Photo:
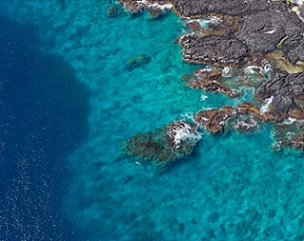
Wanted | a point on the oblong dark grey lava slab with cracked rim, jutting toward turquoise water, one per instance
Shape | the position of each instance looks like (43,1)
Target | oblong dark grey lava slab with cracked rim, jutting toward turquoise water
(213,49)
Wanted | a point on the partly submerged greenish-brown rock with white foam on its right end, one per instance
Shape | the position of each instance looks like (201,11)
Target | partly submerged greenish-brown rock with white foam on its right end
(165,145)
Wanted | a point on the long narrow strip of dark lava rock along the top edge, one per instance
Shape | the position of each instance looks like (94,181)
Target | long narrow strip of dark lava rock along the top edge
(190,8)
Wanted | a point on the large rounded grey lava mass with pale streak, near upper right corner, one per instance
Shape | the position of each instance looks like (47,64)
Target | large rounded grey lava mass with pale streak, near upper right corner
(277,28)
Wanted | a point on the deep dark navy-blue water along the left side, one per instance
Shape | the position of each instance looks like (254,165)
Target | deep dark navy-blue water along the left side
(44,111)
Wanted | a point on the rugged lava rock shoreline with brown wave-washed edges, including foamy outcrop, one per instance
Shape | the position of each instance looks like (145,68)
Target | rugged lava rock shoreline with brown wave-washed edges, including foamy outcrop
(261,37)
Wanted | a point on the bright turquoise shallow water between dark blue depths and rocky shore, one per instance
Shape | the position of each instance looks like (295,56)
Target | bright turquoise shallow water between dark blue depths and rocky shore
(233,187)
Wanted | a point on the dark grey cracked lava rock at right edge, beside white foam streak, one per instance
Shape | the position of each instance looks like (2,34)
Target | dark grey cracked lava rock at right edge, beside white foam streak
(287,91)
